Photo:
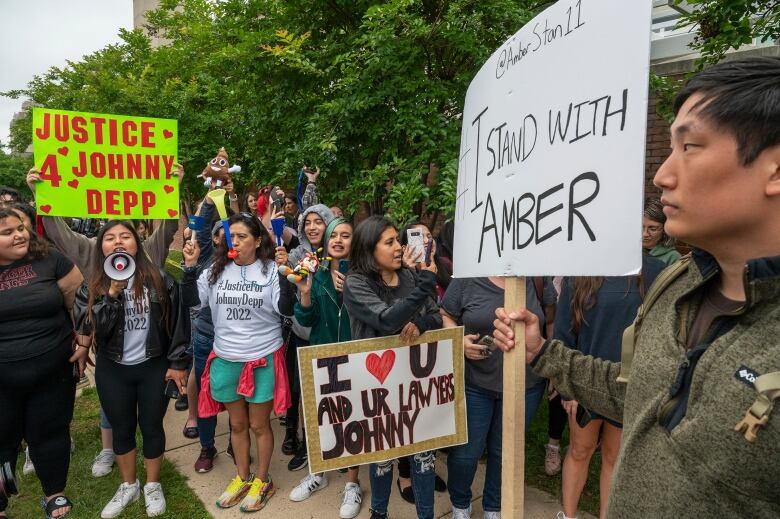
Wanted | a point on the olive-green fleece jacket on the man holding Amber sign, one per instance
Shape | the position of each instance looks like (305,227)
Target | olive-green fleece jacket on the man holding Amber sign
(701,467)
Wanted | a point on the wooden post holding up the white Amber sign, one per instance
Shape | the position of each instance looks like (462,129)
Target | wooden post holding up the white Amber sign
(513,409)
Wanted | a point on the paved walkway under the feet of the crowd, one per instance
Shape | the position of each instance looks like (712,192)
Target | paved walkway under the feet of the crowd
(183,452)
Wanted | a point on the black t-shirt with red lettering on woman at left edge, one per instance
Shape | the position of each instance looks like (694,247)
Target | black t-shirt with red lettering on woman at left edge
(33,318)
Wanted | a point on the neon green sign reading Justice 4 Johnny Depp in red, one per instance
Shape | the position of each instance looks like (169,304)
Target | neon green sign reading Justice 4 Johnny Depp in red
(105,166)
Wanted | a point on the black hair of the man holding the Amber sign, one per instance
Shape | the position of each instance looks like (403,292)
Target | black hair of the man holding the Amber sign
(742,97)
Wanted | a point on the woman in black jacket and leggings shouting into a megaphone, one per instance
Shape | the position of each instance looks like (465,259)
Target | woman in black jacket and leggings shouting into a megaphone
(132,311)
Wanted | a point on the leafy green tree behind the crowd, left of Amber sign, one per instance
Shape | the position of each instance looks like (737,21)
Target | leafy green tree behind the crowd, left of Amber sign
(370,91)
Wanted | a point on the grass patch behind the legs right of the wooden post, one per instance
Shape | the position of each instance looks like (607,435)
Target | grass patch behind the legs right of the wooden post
(534,464)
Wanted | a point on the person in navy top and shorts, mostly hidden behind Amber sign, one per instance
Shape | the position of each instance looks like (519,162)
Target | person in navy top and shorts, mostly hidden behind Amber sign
(592,314)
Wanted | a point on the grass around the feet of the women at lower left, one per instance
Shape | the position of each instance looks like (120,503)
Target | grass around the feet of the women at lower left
(91,494)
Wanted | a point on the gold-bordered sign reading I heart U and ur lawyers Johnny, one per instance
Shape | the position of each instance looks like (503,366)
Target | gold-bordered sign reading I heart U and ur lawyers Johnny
(375,400)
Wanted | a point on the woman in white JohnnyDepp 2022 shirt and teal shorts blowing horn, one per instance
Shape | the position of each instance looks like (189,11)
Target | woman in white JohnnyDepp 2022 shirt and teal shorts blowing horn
(247,298)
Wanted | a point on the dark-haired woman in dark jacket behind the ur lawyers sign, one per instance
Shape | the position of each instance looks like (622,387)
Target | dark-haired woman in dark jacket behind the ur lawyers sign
(384,298)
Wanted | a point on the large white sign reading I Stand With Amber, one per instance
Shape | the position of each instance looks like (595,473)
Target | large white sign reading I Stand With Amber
(552,152)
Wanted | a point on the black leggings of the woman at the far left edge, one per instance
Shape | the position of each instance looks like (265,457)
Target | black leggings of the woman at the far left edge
(36,404)
